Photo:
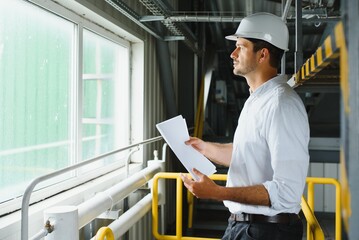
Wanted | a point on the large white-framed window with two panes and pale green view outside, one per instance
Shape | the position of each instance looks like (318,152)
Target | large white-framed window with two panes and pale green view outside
(51,116)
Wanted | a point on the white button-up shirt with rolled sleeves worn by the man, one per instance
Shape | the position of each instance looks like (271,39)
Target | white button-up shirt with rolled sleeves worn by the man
(270,147)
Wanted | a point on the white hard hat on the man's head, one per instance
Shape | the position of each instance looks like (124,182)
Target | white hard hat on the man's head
(263,26)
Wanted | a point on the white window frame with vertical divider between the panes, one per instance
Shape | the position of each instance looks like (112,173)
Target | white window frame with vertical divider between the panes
(103,27)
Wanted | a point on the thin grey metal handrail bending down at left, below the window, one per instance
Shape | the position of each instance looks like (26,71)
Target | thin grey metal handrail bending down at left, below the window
(32,185)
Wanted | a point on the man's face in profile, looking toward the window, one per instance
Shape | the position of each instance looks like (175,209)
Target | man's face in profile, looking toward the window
(244,59)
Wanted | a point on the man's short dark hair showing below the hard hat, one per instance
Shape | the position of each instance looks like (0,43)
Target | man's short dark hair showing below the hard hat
(275,53)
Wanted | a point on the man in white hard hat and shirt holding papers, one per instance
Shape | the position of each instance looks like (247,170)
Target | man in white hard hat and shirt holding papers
(268,160)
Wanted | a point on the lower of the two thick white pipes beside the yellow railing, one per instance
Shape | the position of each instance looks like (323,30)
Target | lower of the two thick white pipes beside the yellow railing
(120,226)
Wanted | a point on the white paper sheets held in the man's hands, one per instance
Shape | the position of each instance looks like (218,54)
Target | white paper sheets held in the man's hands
(175,133)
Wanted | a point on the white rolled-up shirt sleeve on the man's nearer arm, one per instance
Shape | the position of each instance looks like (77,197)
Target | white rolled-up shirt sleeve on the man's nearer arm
(287,135)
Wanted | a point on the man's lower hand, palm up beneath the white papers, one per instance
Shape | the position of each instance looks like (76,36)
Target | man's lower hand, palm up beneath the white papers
(203,188)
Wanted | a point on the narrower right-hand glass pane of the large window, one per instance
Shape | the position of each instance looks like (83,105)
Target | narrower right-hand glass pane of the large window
(105,95)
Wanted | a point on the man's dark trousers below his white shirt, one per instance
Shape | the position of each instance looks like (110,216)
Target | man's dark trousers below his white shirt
(263,231)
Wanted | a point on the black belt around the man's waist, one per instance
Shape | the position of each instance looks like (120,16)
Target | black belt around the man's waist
(282,218)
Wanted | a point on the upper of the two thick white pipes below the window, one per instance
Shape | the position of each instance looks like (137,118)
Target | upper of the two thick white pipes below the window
(90,209)
